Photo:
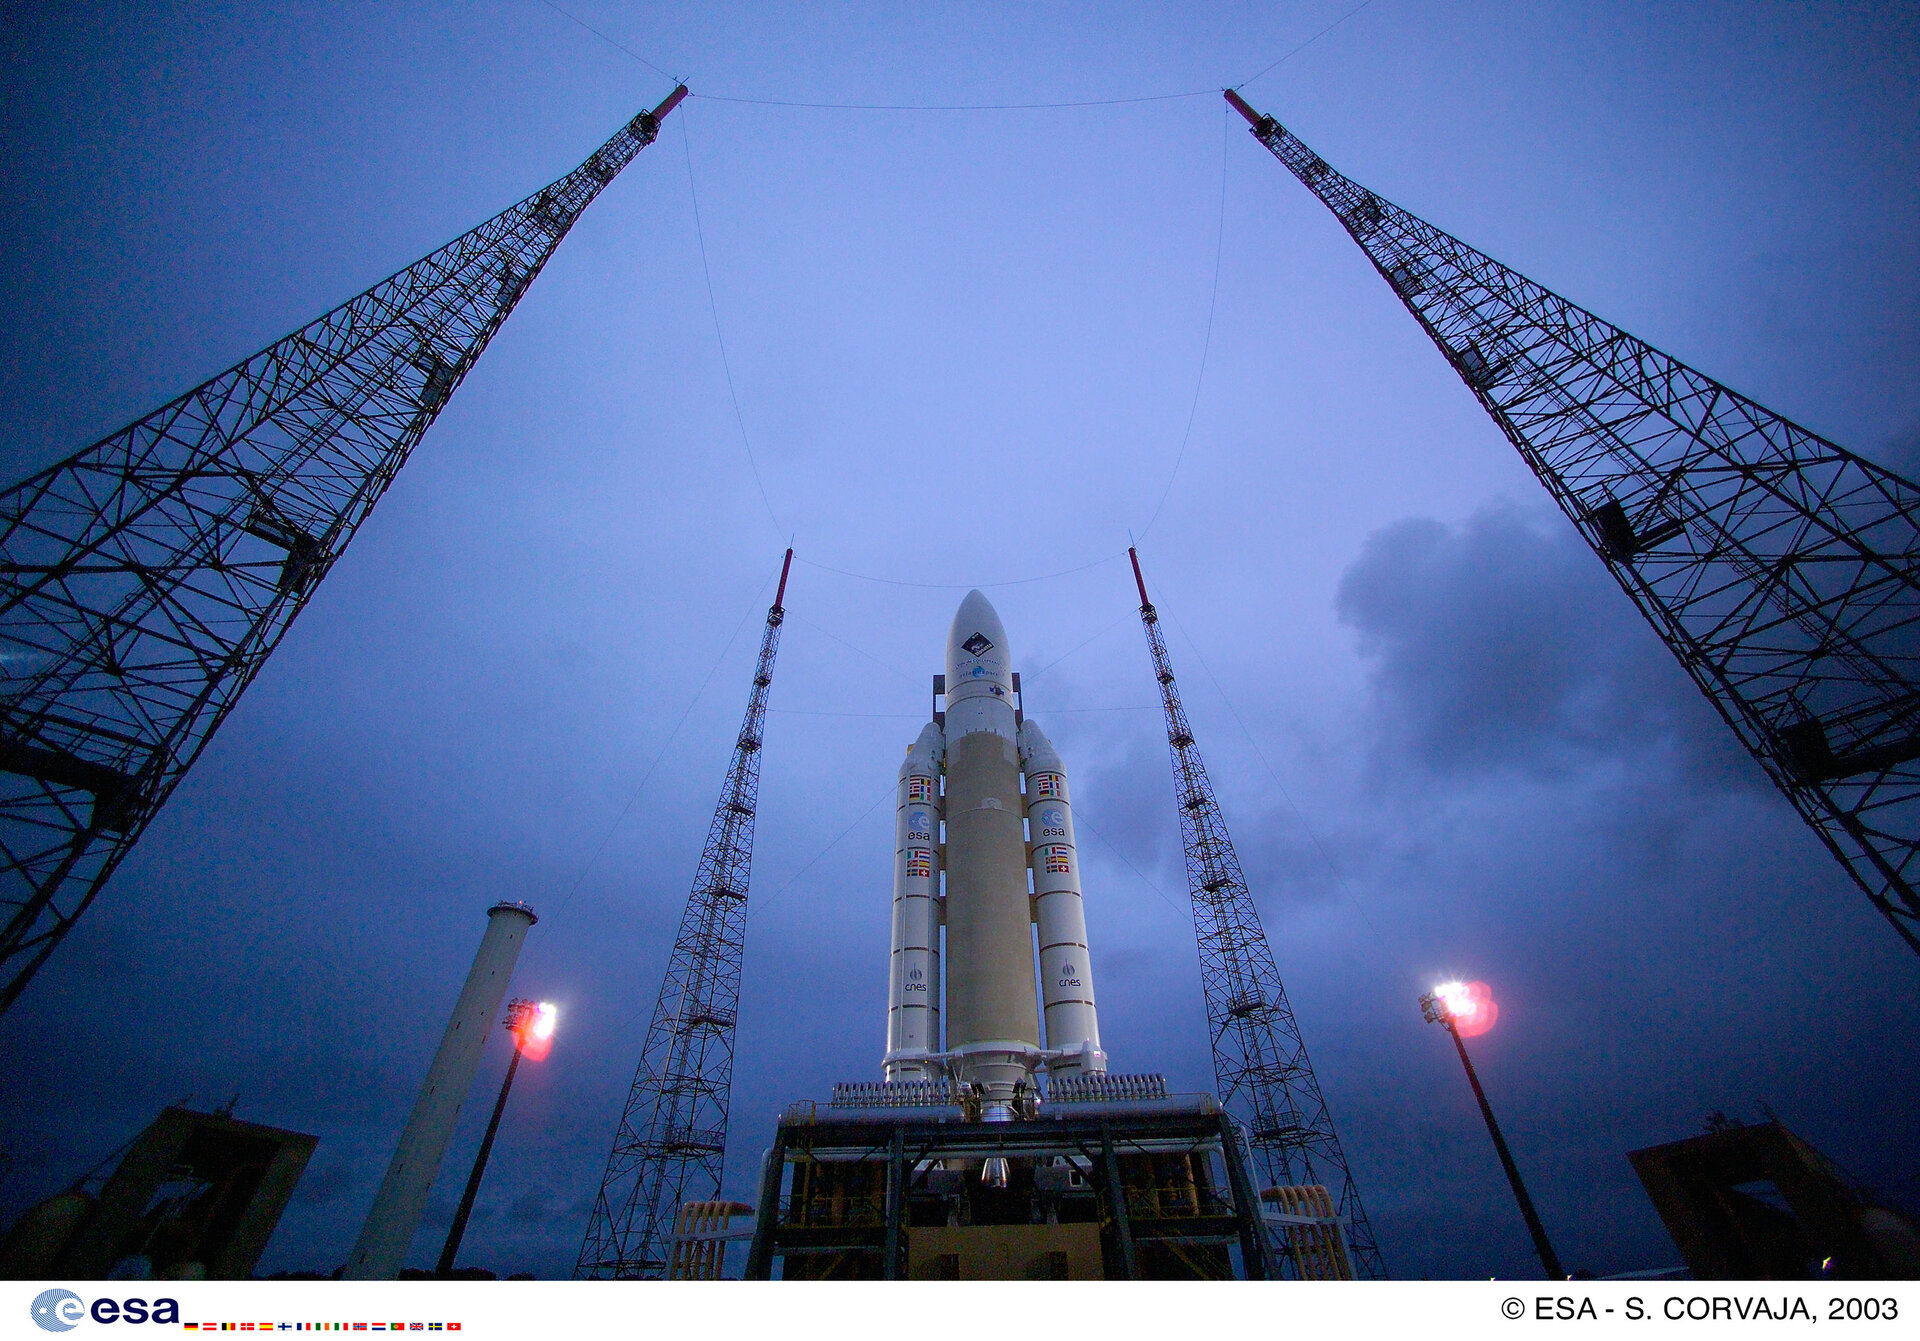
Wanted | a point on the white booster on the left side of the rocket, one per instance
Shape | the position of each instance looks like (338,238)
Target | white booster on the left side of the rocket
(915,977)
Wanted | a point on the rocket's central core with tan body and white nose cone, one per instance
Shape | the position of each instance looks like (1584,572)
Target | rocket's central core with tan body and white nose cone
(994,1029)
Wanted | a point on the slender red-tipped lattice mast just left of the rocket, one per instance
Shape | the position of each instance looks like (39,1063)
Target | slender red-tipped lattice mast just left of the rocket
(671,1144)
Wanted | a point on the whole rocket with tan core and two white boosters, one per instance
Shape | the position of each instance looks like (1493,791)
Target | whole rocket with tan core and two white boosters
(988,869)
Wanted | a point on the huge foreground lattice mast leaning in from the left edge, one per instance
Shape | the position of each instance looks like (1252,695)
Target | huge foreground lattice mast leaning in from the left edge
(147,579)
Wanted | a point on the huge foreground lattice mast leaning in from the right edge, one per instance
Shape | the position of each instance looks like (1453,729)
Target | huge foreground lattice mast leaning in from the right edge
(1781,570)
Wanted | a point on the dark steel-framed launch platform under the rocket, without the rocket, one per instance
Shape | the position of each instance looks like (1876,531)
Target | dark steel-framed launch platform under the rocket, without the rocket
(1115,1181)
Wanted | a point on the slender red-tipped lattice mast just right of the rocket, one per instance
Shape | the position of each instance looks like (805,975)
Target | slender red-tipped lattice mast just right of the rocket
(1260,1061)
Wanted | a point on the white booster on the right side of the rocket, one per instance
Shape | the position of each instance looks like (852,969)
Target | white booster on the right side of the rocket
(1067,965)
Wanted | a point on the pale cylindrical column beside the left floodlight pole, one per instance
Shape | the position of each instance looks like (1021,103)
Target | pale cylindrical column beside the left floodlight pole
(396,1209)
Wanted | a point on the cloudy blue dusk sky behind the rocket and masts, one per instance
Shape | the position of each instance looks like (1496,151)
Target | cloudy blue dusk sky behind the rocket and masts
(967,347)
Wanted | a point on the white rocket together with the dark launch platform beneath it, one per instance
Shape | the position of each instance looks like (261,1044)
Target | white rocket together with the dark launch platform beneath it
(999,1146)
